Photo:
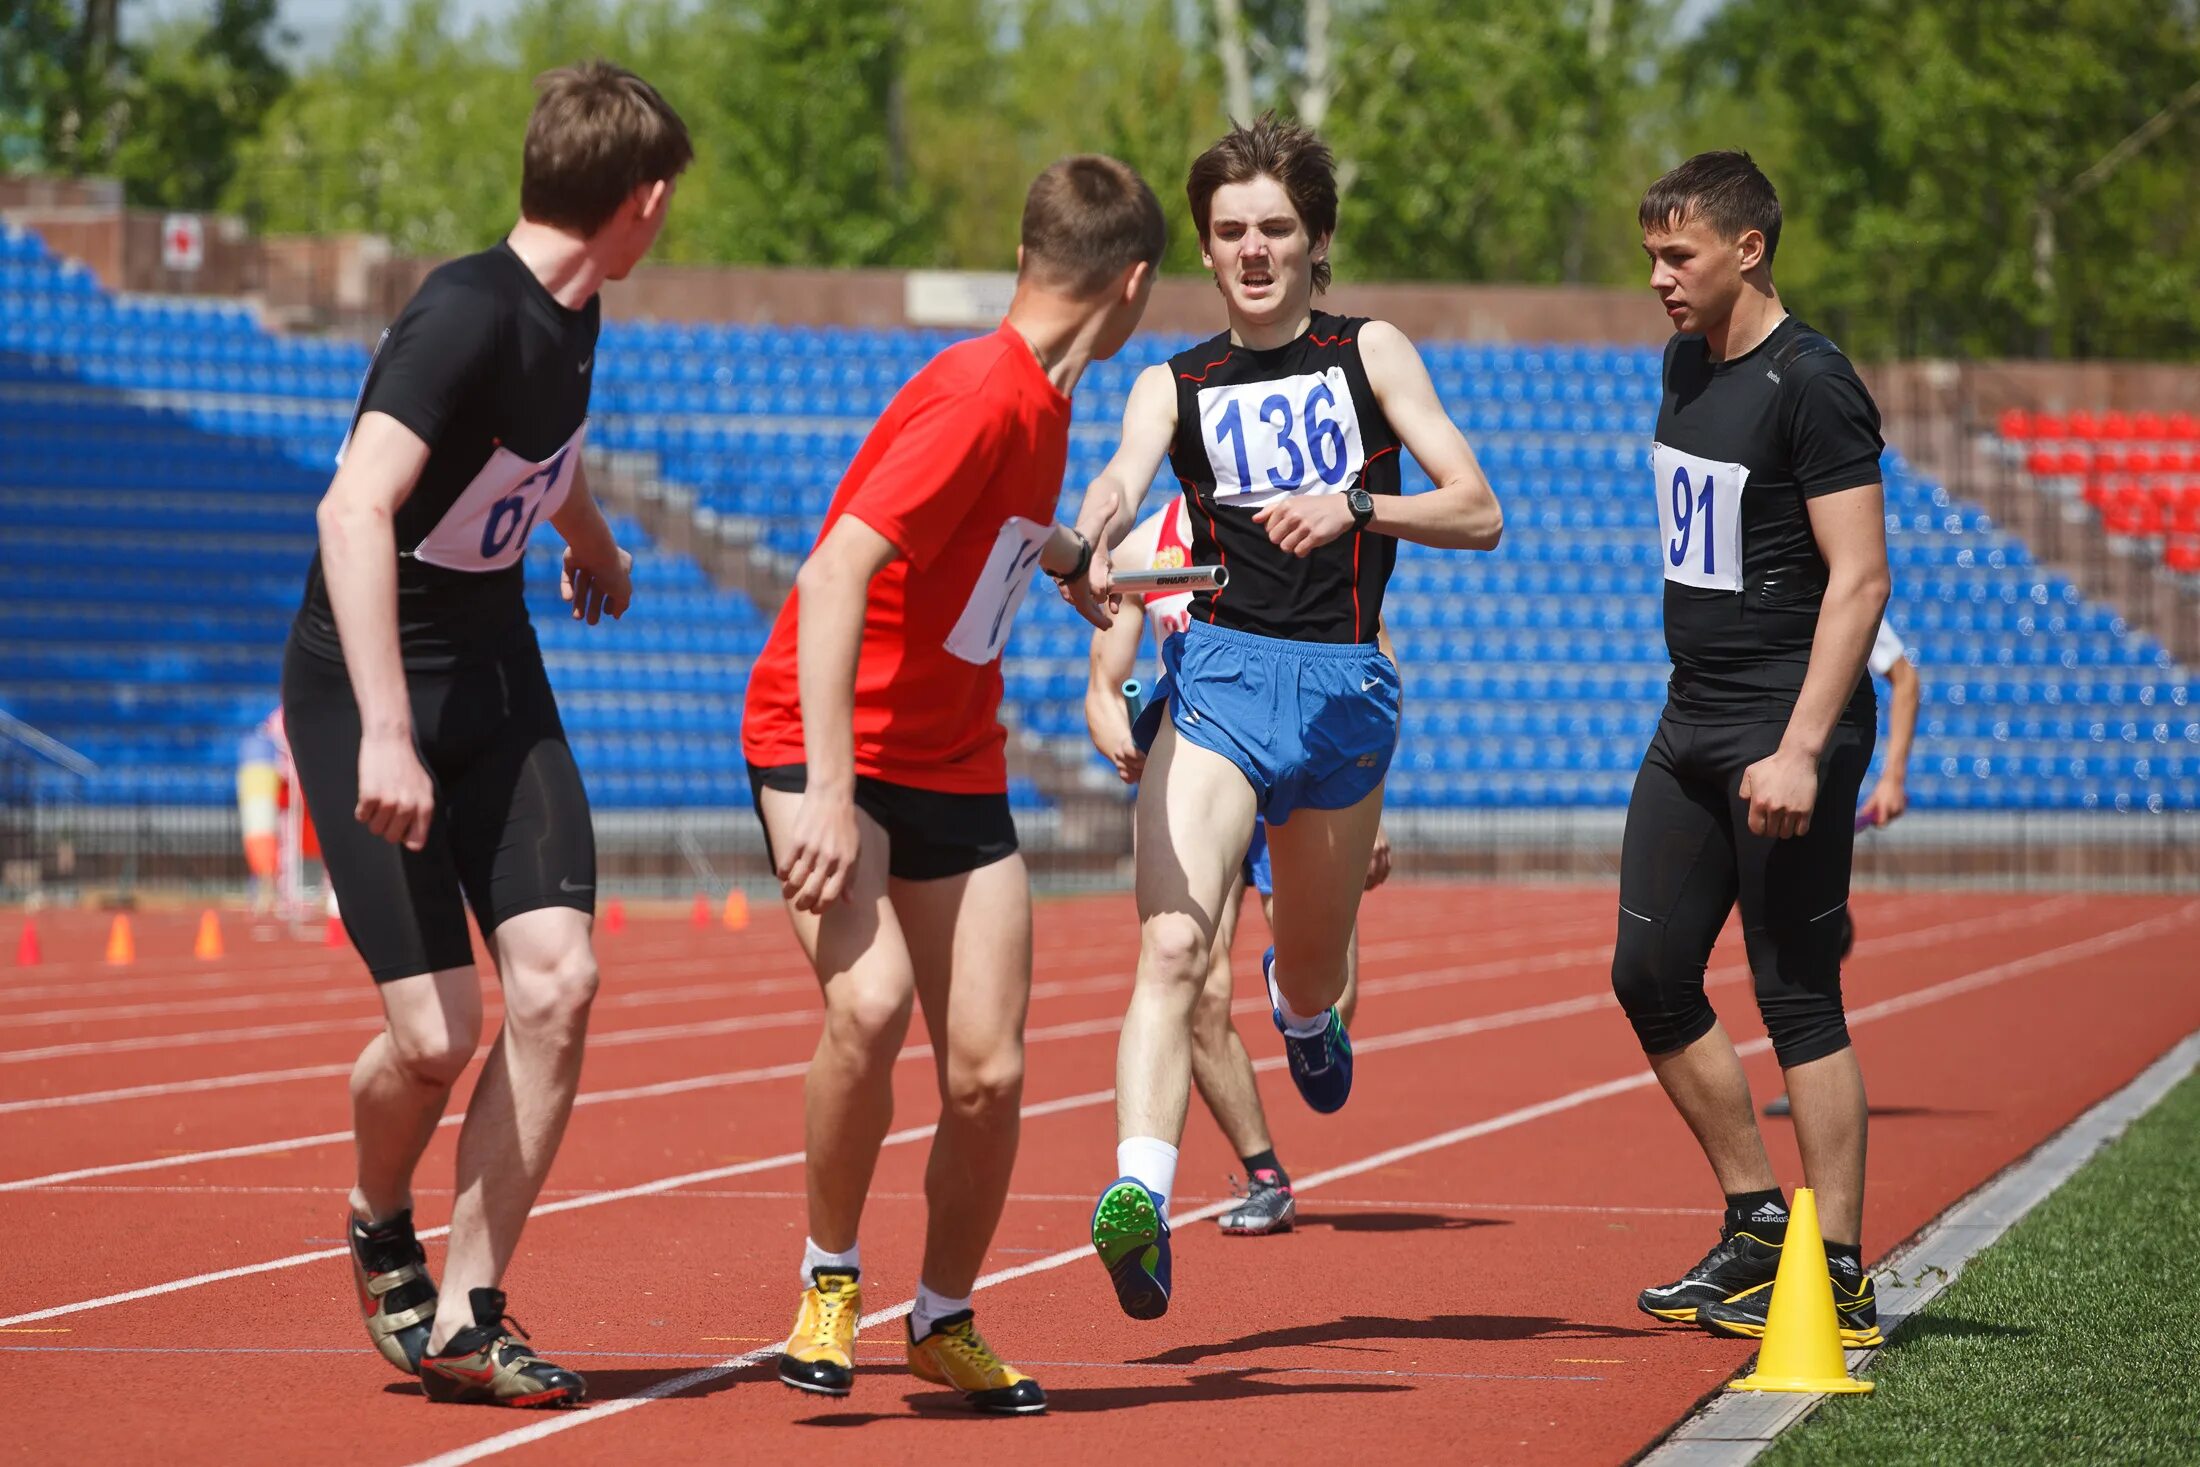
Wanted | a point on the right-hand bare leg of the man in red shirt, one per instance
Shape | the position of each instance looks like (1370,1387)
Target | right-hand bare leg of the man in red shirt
(971,951)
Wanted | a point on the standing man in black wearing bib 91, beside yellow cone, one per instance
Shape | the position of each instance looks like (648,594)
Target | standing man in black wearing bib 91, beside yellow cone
(1776,573)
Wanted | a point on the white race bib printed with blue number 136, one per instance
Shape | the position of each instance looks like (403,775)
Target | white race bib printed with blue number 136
(1290,437)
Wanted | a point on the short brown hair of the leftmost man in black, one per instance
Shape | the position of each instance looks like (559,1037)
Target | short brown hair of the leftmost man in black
(597,135)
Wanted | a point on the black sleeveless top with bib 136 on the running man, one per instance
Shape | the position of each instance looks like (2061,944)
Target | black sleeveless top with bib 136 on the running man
(1255,428)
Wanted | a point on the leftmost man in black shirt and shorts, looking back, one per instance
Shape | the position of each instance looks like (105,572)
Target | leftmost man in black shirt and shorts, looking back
(426,736)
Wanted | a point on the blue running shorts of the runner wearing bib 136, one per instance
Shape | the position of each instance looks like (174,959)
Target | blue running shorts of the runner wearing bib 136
(1312,725)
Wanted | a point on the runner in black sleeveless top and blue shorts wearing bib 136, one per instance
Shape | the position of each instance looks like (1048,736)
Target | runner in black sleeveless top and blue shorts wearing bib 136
(1277,703)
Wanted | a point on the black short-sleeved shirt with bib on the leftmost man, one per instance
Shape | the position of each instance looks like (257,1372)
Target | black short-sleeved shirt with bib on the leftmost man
(492,373)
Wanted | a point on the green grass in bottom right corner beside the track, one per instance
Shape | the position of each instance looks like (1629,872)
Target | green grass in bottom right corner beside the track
(2076,1338)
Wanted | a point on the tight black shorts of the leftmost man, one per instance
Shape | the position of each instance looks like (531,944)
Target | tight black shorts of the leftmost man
(511,824)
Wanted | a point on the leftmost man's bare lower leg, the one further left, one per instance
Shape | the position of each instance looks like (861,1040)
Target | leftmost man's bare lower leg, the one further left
(404,1081)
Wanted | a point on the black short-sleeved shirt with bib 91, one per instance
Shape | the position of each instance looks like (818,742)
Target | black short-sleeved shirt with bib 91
(1741,448)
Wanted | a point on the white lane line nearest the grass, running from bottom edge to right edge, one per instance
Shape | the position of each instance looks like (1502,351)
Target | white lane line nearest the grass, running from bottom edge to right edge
(507,1442)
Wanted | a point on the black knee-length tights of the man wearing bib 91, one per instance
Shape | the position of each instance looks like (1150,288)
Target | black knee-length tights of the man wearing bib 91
(1688,859)
